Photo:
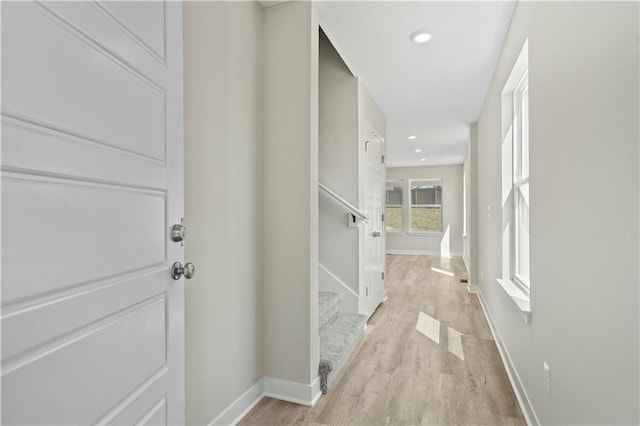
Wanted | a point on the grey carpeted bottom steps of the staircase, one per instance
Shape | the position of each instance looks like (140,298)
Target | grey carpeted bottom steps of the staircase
(340,333)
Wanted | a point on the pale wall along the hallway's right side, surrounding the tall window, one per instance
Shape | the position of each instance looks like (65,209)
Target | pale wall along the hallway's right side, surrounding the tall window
(583,84)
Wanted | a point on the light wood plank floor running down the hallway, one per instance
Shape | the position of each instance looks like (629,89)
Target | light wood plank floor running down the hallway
(398,376)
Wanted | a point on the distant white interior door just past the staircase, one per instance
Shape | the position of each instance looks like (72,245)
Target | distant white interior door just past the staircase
(374,229)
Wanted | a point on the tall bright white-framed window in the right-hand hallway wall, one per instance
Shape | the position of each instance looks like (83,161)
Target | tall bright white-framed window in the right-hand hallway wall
(520,189)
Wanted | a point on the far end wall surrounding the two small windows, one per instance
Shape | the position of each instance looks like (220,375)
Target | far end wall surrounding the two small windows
(447,243)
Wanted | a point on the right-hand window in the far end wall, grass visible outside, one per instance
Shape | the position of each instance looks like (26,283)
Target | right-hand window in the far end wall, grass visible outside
(426,205)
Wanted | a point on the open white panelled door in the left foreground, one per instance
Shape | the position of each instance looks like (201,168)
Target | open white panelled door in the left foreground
(92,322)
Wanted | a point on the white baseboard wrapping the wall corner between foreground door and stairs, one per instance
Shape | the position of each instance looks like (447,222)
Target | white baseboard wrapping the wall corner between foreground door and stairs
(268,386)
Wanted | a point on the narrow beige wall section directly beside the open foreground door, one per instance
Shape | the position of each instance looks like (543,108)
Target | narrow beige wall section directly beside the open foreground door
(223,137)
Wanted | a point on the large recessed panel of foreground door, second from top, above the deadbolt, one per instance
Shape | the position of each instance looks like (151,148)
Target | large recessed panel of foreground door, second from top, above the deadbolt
(105,99)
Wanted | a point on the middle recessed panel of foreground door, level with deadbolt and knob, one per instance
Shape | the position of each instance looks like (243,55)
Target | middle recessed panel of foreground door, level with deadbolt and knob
(68,211)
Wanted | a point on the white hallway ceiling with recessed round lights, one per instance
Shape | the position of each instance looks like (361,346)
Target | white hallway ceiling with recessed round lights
(431,90)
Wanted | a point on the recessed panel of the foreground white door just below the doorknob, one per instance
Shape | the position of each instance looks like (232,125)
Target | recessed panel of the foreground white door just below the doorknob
(80,377)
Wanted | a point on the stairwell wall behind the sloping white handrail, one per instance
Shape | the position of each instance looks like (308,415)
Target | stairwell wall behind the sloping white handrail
(338,159)
